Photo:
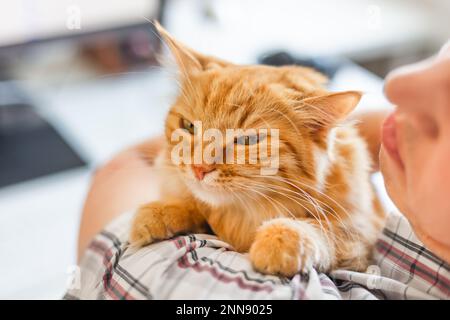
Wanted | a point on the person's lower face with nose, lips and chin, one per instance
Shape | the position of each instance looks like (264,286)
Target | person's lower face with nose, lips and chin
(416,148)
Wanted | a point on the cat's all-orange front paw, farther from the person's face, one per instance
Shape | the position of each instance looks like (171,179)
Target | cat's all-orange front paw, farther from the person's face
(157,221)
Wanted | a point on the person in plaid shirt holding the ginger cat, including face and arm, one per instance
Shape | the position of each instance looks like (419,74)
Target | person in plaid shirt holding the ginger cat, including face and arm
(412,256)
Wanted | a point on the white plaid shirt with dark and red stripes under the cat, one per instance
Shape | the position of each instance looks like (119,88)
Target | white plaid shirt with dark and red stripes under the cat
(199,266)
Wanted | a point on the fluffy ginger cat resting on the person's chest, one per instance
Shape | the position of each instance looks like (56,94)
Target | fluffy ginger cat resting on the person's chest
(318,210)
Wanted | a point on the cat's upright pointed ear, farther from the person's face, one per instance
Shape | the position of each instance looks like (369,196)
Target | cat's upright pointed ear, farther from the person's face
(188,60)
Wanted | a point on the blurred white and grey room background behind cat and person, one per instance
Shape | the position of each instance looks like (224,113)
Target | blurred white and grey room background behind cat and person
(79,81)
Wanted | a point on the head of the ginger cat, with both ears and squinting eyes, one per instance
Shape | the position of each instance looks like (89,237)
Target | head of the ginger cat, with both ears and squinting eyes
(281,112)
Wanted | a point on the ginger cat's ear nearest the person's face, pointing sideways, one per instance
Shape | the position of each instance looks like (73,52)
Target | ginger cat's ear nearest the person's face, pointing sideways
(330,108)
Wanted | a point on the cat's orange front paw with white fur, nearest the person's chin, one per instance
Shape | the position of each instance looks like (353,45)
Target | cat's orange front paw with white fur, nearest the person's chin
(285,247)
